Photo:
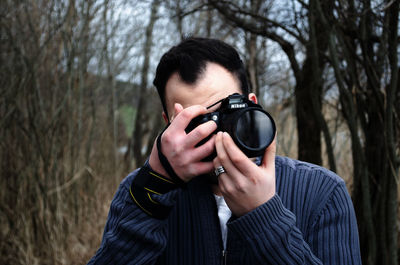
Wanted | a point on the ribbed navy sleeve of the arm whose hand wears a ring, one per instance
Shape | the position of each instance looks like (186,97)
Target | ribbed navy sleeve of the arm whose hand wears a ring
(331,236)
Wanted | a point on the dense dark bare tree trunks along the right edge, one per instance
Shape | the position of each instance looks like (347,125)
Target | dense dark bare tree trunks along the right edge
(363,46)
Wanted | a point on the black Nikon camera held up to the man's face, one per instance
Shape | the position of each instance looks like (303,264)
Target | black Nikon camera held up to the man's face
(251,127)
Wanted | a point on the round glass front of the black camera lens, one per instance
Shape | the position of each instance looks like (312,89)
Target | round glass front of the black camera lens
(255,130)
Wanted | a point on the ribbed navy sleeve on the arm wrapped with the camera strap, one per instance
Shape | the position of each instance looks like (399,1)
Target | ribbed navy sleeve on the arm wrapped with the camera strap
(130,235)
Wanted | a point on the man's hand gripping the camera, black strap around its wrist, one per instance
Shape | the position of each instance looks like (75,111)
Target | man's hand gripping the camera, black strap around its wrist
(179,147)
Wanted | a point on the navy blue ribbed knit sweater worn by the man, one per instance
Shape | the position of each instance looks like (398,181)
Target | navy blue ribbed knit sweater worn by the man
(310,220)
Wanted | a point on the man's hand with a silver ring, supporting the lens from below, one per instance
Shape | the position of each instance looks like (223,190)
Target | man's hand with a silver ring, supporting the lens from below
(245,186)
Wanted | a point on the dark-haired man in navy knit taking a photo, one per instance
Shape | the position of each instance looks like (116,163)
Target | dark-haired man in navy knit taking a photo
(272,211)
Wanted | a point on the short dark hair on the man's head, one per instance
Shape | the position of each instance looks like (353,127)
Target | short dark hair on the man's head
(189,59)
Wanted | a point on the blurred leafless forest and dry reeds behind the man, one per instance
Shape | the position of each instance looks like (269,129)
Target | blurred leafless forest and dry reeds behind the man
(78,110)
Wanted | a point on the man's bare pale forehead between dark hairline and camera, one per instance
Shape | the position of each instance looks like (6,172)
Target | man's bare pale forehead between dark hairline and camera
(214,84)
